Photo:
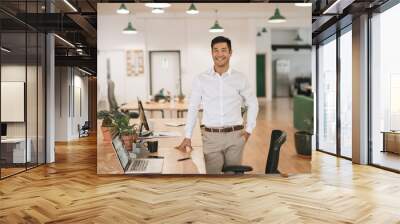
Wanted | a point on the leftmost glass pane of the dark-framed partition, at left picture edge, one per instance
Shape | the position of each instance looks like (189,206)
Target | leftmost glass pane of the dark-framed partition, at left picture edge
(13,92)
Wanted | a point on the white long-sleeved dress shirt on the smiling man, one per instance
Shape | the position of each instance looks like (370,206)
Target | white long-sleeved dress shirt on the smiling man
(221,97)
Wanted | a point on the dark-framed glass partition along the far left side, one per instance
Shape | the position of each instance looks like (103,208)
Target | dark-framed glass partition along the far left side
(22,64)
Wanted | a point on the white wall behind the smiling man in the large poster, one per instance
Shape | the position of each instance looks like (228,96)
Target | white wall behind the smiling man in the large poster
(186,35)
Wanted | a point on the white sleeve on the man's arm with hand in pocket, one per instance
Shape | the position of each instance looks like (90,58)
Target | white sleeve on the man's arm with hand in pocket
(252,106)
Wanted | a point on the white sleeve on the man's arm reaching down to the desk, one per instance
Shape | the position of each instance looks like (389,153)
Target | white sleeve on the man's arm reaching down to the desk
(193,108)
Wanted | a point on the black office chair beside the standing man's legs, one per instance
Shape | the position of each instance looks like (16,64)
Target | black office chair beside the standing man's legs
(278,138)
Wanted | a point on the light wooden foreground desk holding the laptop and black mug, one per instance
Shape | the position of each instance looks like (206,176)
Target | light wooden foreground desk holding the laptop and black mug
(108,163)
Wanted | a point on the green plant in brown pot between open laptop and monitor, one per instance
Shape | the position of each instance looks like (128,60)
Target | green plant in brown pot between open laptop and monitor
(123,128)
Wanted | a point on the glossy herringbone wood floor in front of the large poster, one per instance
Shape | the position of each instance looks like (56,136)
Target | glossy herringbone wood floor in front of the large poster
(69,191)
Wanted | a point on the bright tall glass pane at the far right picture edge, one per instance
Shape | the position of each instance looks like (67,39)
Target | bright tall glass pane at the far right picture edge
(385,89)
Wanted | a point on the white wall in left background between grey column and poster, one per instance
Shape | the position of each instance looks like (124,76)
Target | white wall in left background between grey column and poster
(66,121)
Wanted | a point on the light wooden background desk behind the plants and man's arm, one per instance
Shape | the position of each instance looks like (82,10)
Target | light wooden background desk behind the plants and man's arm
(179,107)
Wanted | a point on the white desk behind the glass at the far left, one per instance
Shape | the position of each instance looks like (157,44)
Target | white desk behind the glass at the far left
(13,150)
